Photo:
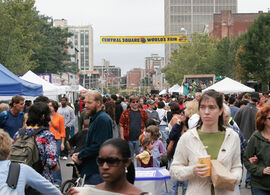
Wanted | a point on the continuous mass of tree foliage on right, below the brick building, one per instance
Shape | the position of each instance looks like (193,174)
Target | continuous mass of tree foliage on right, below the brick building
(244,58)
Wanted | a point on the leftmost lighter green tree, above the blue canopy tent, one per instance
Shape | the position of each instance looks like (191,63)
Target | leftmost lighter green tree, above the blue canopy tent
(19,29)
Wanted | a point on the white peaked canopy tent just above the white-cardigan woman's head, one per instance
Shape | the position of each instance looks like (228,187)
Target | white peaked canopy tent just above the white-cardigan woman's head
(228,85)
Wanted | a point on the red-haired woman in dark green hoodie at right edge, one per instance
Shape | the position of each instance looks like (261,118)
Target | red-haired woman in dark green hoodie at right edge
(257,156)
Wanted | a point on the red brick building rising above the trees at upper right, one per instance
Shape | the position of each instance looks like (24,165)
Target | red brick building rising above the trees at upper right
(231,24)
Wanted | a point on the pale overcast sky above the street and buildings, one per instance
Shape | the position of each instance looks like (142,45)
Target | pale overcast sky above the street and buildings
(123,18)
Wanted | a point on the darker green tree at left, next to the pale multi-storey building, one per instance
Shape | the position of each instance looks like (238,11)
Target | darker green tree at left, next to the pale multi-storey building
(52,56)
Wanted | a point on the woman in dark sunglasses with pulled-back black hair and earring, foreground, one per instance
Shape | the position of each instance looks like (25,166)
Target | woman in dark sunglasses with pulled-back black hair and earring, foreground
(116,169)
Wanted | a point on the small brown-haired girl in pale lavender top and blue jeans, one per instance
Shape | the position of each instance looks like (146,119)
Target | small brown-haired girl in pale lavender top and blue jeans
(158,151)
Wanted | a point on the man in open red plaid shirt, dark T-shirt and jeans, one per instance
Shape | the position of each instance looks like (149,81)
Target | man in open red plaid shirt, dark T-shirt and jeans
(132,125)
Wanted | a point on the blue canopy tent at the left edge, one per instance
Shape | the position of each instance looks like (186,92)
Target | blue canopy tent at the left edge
(11,84)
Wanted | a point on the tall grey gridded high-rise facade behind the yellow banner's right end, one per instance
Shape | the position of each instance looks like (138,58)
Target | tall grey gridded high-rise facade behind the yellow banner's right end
(189,16)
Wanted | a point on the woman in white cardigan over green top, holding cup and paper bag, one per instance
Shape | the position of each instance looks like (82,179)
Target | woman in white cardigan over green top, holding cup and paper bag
(209,138)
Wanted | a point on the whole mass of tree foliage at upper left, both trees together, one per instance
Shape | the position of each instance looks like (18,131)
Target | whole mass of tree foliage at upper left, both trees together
(29,41)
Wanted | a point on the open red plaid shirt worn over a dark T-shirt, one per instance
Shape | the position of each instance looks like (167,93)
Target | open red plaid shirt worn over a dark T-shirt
(125,119)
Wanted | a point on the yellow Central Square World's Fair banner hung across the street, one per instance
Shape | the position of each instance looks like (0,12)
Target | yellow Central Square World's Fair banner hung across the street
(143,39)
